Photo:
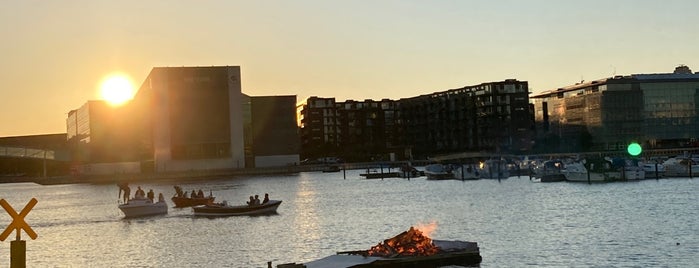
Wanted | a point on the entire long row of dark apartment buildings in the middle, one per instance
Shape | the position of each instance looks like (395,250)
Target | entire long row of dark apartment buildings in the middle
(491,117)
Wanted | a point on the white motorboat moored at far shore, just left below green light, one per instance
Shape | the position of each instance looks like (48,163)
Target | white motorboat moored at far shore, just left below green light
(599,172)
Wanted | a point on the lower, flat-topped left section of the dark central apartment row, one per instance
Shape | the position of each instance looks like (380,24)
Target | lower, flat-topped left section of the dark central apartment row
(353,130)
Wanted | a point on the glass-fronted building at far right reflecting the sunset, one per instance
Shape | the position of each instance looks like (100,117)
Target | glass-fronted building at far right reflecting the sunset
(657,110)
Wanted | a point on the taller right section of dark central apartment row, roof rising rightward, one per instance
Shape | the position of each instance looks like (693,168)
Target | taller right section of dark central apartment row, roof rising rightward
(490,117)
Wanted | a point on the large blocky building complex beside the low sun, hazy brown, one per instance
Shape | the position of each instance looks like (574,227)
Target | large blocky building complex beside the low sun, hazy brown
(185,119)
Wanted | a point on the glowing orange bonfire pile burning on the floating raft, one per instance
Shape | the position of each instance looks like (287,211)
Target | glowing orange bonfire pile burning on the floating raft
(409,243)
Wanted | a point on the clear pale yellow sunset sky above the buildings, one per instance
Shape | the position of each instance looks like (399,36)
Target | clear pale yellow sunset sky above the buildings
(54,54)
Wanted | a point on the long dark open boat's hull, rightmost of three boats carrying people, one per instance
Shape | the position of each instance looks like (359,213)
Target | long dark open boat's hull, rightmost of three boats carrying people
(224,209)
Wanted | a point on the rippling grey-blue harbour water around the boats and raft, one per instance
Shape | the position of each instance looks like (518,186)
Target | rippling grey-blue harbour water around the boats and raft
(516,222)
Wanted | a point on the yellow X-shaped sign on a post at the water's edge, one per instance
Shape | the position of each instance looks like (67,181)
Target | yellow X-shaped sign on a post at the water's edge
(18,247)
